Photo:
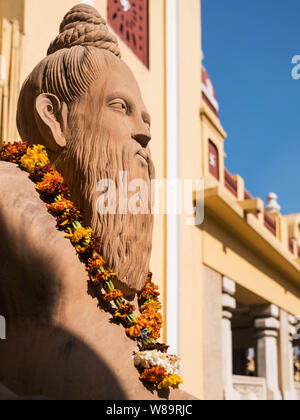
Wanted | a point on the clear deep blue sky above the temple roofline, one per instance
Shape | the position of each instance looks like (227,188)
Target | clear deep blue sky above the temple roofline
(248,47)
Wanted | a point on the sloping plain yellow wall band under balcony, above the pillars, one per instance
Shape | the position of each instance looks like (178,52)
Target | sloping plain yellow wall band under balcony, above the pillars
(225,254)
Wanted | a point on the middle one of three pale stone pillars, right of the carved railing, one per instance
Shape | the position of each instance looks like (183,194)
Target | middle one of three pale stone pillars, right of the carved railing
(267,327)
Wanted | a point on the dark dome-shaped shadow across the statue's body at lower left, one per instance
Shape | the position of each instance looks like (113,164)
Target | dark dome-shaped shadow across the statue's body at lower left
(63,367)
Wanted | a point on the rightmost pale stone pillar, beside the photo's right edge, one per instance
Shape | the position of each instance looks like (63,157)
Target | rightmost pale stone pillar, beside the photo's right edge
(286,363)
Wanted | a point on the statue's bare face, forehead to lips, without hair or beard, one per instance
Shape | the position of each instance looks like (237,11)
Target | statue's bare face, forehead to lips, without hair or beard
(126,119)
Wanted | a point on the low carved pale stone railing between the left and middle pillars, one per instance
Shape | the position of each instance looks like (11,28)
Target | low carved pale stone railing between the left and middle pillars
(248,388)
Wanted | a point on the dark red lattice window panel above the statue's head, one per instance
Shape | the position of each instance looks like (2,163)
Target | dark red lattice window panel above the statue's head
(130,20)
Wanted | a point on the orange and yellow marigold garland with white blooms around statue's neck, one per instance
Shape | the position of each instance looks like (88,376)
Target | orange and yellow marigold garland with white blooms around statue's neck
(161,371)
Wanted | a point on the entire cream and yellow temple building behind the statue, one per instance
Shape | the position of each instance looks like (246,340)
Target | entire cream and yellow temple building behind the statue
(230,285)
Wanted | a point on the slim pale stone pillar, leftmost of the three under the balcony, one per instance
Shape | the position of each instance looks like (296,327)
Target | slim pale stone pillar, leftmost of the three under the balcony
(228,306)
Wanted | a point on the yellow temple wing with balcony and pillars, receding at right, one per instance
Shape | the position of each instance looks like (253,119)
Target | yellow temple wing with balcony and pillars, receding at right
(250,279)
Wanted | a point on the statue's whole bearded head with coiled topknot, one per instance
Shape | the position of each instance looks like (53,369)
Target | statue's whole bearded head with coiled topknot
(84,105)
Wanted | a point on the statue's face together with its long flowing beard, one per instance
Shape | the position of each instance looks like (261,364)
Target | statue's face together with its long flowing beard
(108,134)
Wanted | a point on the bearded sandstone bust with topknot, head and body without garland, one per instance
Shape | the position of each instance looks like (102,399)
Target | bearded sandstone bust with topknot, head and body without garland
(84,105)
